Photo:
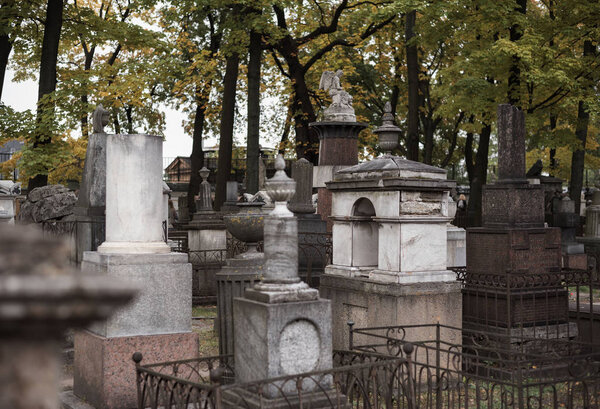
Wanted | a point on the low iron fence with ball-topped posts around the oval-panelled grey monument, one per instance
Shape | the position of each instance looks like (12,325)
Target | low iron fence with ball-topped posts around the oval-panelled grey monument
(357,380)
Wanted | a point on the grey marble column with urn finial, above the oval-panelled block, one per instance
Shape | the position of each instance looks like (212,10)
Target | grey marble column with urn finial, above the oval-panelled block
(281,282)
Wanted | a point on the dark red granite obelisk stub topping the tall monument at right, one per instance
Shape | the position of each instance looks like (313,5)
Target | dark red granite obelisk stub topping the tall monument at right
(511,144)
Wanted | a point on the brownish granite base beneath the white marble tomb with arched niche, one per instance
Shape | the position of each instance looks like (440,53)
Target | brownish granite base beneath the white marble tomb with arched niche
(371,304)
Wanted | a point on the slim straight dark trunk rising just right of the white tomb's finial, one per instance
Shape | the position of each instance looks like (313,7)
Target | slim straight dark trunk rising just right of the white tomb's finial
(412,66)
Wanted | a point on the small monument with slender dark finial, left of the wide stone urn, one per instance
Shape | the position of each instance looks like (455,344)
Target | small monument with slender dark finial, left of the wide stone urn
(207,243)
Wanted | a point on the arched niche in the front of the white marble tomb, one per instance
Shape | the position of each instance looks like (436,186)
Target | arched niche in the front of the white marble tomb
(365,234)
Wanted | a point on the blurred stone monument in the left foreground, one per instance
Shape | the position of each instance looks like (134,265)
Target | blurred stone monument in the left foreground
(40,298)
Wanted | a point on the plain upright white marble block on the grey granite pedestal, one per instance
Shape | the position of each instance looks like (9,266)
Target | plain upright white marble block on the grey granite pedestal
(134,188)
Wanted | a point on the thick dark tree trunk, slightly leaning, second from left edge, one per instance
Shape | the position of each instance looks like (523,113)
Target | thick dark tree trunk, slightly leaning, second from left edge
(47,81)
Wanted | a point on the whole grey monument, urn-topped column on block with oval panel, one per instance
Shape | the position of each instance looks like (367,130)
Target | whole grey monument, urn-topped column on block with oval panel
(281,327)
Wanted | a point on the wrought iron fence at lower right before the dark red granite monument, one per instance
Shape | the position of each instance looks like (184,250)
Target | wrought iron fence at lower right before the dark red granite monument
(477,372)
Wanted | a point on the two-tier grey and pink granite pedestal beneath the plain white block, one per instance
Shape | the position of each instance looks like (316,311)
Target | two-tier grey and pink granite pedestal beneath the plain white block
(157,324)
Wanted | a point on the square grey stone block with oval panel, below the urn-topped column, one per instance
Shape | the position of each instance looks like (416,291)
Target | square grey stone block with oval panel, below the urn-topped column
(282,339)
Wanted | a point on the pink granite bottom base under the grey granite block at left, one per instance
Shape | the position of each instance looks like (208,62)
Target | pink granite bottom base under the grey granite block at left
(104,373)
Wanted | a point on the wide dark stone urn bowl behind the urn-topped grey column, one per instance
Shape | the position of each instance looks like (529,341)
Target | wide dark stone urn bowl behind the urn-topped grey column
(247,225)
